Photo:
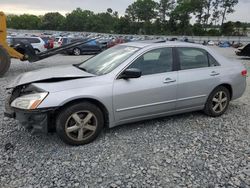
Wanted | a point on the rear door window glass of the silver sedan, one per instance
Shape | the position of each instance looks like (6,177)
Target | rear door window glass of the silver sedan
(191,58)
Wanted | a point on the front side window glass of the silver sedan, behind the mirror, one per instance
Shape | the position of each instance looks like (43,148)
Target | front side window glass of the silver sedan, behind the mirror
(155,61)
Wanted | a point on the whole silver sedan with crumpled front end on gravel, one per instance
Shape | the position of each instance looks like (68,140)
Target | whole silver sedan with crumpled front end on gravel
(127,83)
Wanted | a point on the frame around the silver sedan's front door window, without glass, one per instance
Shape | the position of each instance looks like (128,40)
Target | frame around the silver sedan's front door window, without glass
(141,54)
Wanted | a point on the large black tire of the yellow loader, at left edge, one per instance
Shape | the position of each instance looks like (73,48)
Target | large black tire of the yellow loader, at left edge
(4,61)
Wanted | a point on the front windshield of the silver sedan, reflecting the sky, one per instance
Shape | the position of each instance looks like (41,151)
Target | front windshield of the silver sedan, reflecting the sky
(108,60)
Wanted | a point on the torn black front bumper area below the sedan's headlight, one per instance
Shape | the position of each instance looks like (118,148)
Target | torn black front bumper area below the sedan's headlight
(36,121)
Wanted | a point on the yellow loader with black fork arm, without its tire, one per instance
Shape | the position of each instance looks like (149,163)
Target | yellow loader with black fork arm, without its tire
(24,51)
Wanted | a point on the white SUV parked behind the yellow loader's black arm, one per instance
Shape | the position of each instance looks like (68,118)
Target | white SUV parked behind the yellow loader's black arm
(37,43)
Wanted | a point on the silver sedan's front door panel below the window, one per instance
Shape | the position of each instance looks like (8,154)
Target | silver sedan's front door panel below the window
(158,96)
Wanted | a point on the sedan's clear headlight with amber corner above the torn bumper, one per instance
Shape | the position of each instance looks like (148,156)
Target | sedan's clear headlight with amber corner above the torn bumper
(30,101)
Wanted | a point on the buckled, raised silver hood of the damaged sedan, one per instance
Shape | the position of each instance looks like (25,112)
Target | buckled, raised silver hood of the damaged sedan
(52,74)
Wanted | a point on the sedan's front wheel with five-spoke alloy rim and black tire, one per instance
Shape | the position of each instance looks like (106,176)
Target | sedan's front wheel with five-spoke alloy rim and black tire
(79,123)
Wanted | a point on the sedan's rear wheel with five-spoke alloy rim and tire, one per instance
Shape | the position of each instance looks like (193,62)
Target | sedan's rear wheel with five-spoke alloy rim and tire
(217,102)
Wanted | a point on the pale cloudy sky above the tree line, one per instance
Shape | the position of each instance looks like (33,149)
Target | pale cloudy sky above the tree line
(40,7)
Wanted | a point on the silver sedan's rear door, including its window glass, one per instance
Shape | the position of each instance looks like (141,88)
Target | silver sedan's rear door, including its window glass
(199,74)
